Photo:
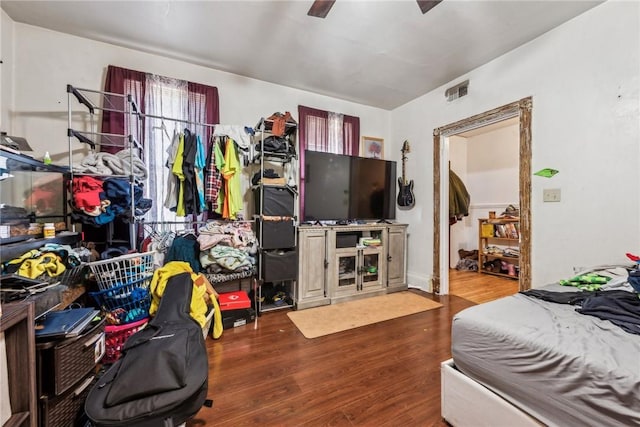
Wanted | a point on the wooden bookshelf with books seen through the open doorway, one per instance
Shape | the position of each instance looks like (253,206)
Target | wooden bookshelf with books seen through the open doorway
(499,247)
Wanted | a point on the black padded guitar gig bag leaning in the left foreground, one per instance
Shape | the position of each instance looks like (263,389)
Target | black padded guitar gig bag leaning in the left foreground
(162,377)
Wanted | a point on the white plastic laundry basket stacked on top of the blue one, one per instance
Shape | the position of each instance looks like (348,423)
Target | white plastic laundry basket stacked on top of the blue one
(131,270)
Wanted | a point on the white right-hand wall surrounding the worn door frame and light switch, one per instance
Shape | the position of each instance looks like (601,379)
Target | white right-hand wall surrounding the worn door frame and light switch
(584,80)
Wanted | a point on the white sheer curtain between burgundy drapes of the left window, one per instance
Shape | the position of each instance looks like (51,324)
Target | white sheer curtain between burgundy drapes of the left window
(168,98)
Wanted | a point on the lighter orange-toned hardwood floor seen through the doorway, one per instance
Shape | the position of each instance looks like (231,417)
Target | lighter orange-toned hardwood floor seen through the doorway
(480,288)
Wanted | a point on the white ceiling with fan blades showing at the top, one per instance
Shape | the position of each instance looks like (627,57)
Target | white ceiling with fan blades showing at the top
(378,53)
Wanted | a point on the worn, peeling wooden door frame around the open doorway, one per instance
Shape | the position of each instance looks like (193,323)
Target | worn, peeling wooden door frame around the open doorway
(521,109)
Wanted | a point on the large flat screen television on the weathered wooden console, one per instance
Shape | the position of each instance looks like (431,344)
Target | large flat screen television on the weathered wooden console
(337,187)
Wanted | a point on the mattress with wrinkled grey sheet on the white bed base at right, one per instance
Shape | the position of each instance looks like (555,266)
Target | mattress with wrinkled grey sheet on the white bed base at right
(562,367)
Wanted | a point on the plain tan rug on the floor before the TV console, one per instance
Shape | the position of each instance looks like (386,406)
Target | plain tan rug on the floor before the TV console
(329,319)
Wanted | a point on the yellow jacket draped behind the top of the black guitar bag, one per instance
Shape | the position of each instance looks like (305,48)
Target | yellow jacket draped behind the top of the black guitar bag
(198,308)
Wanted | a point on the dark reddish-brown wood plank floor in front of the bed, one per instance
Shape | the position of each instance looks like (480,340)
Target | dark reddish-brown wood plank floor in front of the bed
(386,374)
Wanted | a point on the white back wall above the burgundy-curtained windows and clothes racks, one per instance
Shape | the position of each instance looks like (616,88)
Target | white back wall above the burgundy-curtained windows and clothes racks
(46,61)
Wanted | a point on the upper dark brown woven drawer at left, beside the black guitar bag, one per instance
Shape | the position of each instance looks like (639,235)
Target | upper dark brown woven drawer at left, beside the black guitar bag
(62,363)
